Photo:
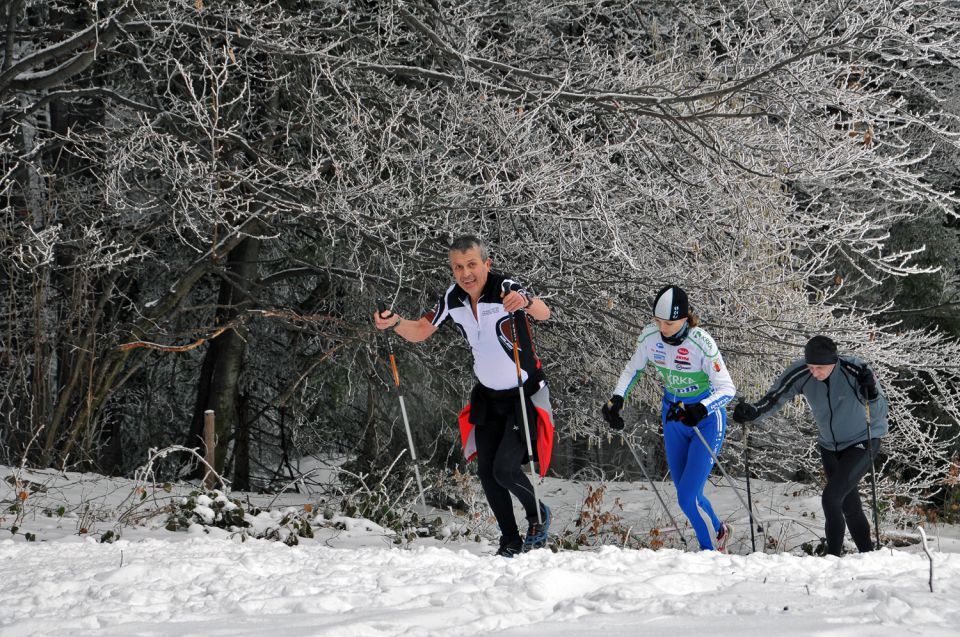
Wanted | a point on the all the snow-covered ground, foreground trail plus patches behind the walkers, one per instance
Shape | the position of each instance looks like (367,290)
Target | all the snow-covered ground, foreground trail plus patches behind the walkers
(353,579)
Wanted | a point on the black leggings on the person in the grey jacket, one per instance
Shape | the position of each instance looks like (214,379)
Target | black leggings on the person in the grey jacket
(841,497)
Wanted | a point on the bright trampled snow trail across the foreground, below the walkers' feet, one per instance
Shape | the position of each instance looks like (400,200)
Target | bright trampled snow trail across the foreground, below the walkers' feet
(208,586)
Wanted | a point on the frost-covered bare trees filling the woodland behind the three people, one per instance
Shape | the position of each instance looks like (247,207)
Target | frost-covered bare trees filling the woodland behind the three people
(246,178)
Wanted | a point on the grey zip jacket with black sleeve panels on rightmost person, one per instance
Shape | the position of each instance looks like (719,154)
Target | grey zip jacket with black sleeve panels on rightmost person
(837,405)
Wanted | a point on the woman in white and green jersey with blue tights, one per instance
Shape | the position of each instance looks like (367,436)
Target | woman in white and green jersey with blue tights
(697,385)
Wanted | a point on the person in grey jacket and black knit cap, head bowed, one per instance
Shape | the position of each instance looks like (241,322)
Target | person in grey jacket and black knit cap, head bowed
(837,389)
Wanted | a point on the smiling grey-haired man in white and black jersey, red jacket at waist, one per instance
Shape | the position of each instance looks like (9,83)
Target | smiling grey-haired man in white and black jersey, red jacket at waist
(481,304)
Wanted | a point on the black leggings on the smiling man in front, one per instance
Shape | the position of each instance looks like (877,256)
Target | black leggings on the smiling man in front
(500,450)
